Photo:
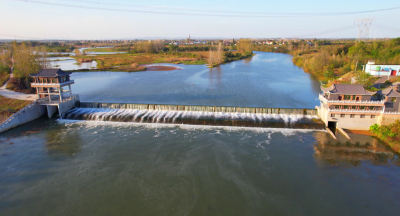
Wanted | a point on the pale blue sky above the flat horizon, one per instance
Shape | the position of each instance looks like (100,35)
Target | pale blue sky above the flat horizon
(175,19)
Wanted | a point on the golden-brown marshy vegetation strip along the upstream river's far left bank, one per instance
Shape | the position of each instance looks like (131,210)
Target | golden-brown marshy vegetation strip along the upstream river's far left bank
(145,52)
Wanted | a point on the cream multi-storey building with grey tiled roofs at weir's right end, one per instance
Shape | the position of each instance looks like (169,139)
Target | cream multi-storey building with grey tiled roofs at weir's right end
(350,106)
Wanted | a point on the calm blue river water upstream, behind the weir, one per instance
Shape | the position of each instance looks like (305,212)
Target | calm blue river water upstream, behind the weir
(265,80)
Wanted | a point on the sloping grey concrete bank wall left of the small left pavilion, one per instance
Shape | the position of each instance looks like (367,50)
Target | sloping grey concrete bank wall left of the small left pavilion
(29,113)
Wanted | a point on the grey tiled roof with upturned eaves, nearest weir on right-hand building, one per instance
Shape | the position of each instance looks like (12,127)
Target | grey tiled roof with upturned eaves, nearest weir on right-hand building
(348,89)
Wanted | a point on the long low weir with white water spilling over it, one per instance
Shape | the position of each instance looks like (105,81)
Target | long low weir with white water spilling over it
(197,115)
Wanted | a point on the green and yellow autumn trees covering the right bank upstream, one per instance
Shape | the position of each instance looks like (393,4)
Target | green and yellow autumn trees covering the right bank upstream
(331,59)
